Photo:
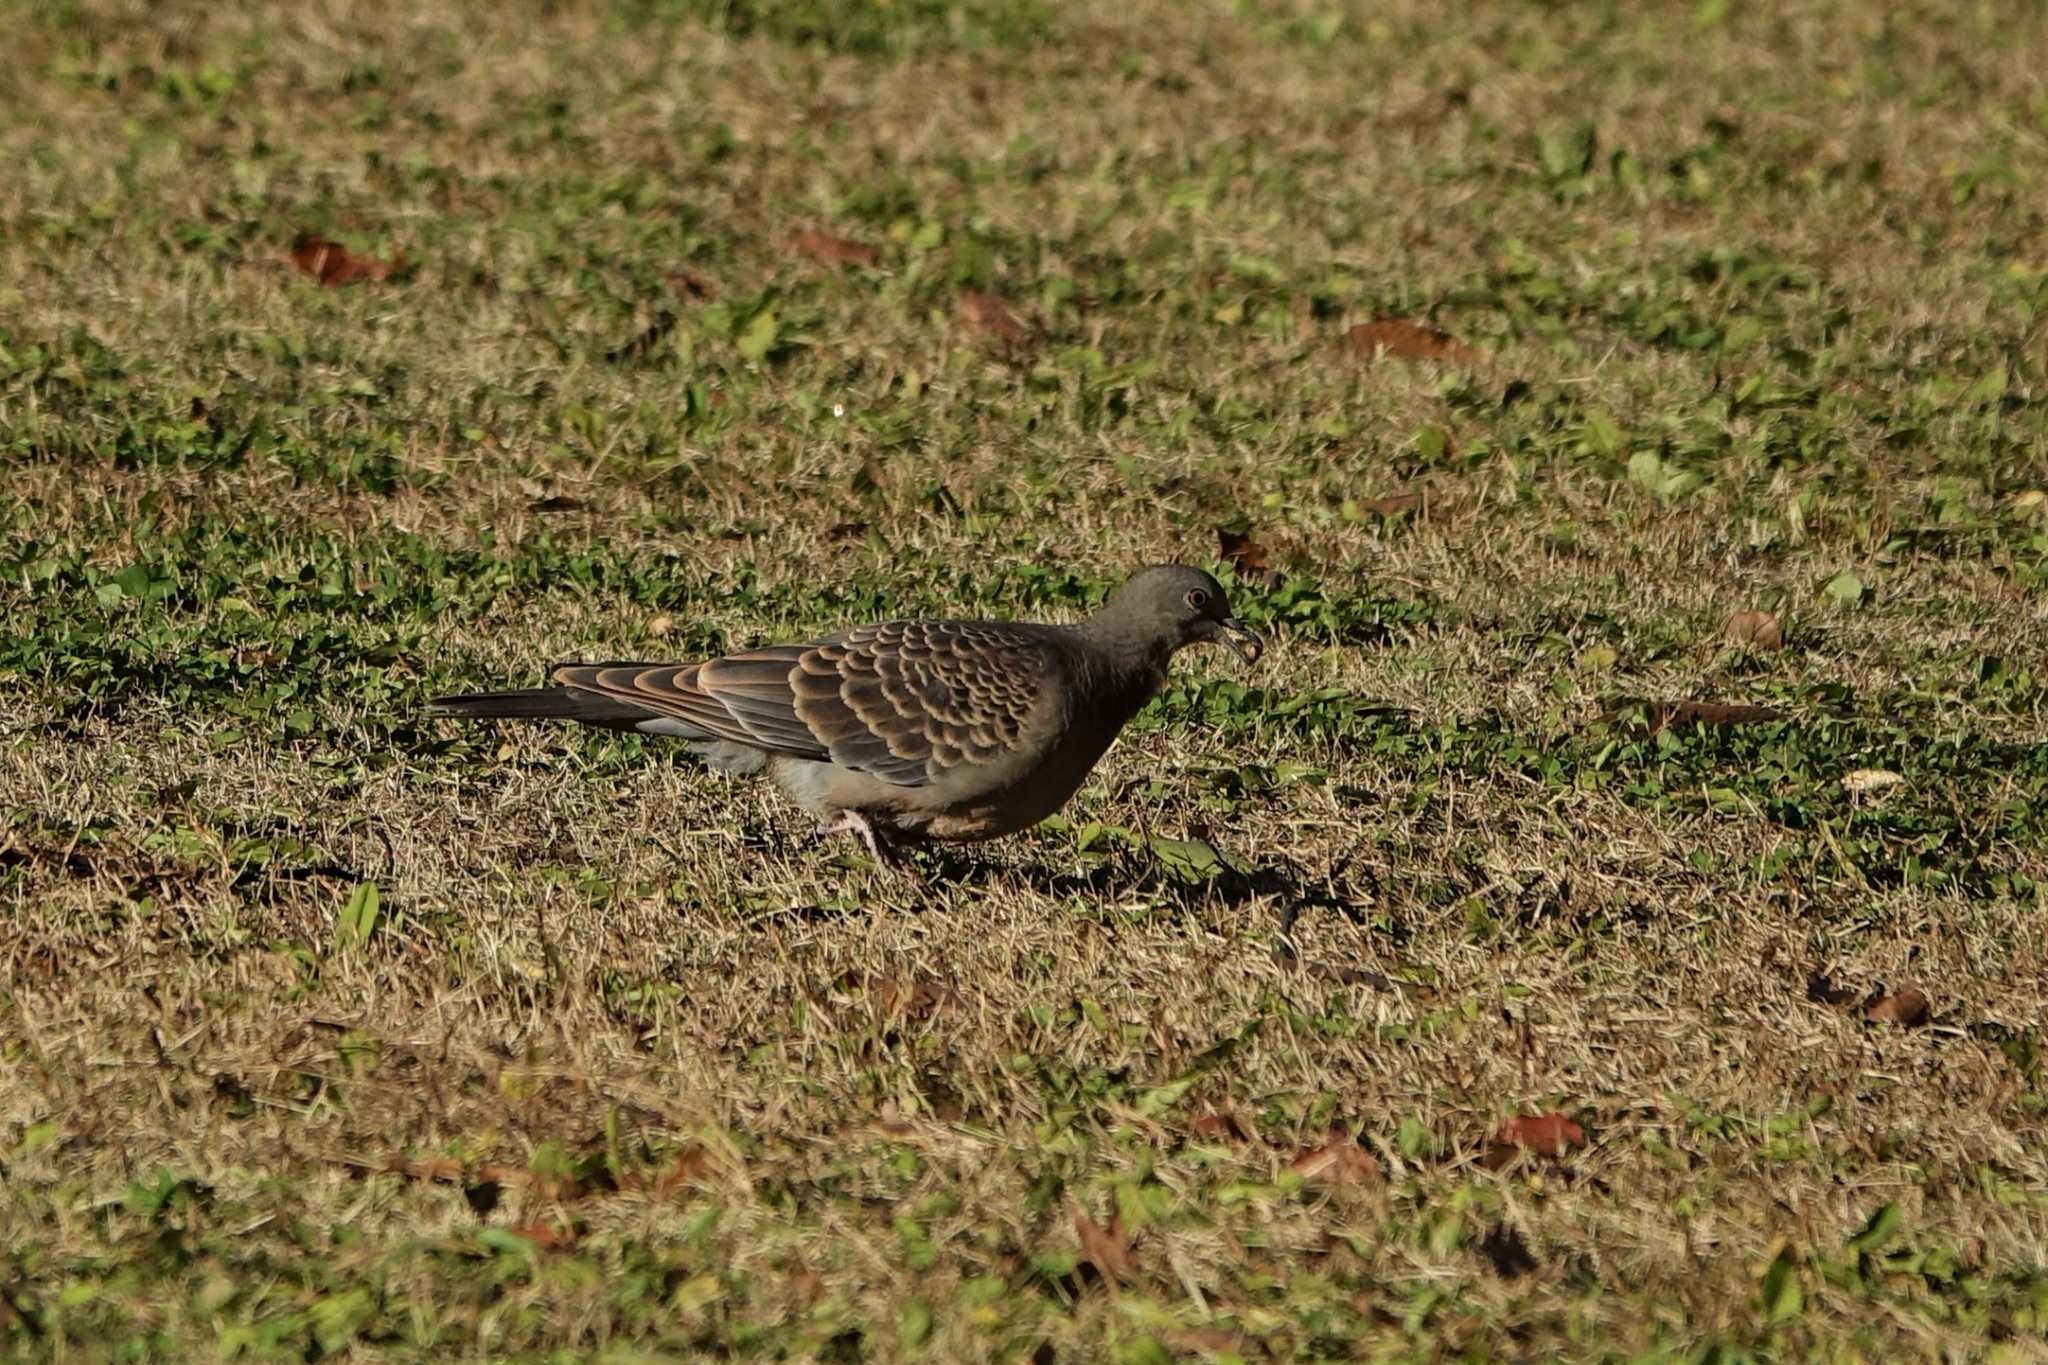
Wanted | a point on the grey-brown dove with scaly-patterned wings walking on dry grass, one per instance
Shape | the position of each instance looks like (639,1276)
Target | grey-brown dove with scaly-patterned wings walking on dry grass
(910,732)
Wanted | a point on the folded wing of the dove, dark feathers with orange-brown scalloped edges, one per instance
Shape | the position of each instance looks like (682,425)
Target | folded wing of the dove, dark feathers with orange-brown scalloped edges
(904,701)
